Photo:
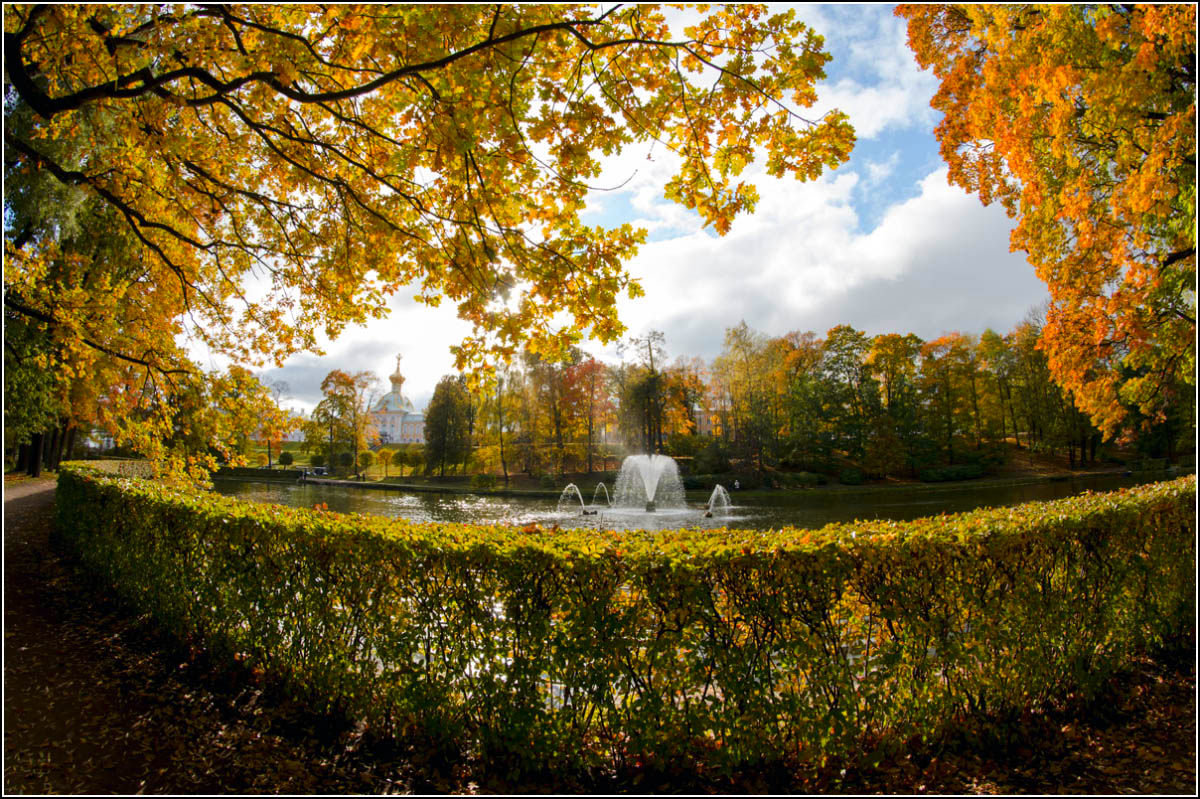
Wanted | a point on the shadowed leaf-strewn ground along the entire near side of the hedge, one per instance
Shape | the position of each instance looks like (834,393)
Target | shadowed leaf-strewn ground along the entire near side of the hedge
(97,701)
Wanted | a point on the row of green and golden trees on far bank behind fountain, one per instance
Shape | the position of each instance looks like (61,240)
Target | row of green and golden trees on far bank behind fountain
(889,406)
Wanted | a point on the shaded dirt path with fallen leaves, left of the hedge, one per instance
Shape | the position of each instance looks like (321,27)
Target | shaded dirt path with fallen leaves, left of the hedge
(95,702)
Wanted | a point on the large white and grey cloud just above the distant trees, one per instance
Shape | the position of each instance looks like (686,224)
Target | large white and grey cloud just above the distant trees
(937,262)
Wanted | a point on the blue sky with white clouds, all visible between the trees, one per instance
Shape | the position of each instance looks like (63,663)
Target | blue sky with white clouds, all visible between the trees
(884,243)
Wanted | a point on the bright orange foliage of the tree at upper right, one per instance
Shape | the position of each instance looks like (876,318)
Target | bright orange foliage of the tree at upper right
(1082,122)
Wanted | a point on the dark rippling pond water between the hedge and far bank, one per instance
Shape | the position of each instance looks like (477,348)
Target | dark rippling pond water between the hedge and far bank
(809,509)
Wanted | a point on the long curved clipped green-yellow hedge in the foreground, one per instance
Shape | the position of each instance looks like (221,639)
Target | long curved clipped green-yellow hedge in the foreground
(571,650)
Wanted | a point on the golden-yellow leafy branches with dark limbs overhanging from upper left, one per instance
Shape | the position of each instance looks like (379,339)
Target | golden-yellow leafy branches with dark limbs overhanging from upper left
(277,172)
